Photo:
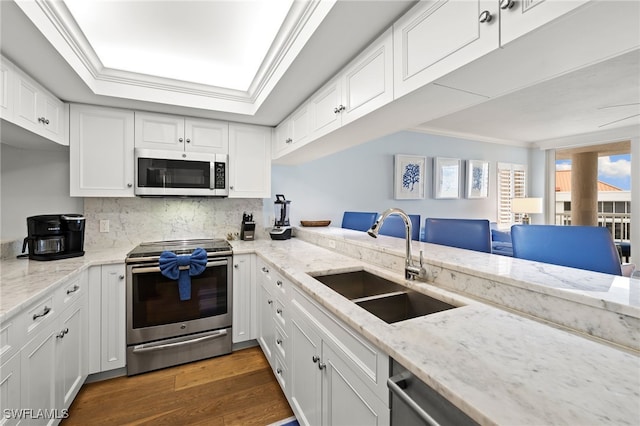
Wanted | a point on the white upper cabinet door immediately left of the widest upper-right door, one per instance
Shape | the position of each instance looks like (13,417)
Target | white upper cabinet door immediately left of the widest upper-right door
(368,80)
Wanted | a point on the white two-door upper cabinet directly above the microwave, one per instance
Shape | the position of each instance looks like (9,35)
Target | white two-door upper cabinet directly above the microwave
(170,132)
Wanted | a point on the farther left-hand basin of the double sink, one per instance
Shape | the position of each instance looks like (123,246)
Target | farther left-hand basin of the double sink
(359,284)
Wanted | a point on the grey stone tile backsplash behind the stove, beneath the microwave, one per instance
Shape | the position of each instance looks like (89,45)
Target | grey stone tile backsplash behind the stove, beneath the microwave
(133,220)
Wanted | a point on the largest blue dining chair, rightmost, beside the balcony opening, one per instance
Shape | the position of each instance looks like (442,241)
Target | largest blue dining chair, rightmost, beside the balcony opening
(583,247)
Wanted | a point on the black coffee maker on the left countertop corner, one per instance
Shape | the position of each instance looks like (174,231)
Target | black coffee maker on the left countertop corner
(54,236)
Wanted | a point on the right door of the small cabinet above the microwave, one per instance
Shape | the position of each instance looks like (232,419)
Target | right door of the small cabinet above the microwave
(206,136)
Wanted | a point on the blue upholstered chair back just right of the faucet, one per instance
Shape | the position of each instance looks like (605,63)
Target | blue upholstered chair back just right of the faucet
(470,234)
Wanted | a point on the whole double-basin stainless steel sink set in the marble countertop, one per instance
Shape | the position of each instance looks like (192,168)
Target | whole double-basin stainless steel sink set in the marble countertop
(389,301)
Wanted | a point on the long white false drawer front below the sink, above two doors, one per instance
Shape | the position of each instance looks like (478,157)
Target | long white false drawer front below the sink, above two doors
(371,364)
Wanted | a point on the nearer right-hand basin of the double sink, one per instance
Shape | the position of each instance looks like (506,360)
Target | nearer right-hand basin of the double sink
(403,305)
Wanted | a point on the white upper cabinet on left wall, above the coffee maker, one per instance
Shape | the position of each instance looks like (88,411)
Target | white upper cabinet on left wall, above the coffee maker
(29,105)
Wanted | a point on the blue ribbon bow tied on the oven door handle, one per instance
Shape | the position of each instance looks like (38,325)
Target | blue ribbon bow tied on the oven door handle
(192,265)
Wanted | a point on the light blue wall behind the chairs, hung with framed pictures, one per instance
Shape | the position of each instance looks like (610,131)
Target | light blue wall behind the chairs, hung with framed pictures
(361,178)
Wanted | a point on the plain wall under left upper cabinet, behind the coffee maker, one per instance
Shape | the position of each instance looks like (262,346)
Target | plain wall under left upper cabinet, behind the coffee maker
(33,182)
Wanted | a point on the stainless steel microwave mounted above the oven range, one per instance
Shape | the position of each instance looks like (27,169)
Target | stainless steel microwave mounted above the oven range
(178,173)
